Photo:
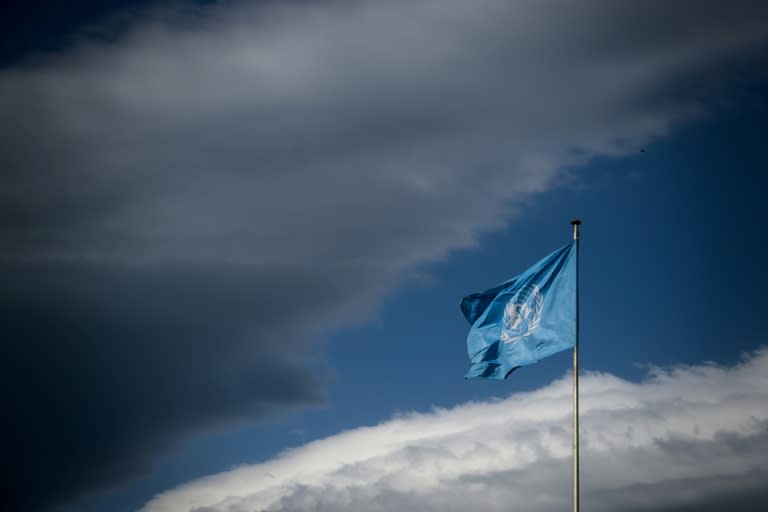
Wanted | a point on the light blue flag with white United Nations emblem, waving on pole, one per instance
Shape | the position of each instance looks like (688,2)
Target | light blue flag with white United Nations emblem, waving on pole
(527,318)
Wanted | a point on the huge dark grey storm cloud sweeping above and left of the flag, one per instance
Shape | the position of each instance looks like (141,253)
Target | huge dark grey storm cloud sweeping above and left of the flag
(185,207)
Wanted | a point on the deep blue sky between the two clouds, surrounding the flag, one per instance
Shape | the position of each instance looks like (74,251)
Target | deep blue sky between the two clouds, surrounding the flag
(660,231)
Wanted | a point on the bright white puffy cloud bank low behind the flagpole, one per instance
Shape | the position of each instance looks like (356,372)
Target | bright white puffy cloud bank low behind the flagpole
(683,439)
